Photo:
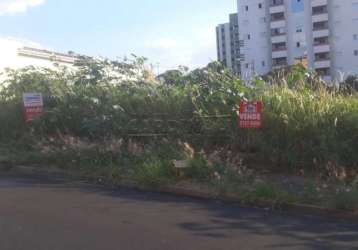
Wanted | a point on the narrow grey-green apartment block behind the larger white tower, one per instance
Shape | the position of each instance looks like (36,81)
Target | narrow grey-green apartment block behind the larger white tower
(228,45)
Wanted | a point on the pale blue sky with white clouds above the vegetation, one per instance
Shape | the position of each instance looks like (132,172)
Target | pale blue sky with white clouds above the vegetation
(168,32)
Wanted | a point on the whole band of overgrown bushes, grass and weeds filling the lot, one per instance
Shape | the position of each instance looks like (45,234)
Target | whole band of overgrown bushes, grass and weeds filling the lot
(116,120)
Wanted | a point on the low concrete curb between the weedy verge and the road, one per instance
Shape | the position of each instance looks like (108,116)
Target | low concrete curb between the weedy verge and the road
(294,209)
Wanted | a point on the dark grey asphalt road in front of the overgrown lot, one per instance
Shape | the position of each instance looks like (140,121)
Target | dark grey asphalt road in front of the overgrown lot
(41,214)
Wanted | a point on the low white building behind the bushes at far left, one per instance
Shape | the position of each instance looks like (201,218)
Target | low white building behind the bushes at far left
(17,54)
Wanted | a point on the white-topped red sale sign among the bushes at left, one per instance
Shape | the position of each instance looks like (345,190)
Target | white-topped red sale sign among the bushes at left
(33,104)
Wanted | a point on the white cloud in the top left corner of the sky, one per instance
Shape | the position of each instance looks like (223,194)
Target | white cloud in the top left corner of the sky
(17,6)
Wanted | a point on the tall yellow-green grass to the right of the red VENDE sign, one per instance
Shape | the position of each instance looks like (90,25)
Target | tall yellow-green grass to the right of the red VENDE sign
(304,126)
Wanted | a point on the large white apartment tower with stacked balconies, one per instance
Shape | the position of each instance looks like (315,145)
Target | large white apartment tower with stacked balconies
(277,33)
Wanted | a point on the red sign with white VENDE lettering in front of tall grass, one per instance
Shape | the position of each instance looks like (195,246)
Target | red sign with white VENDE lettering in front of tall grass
(250,115)
